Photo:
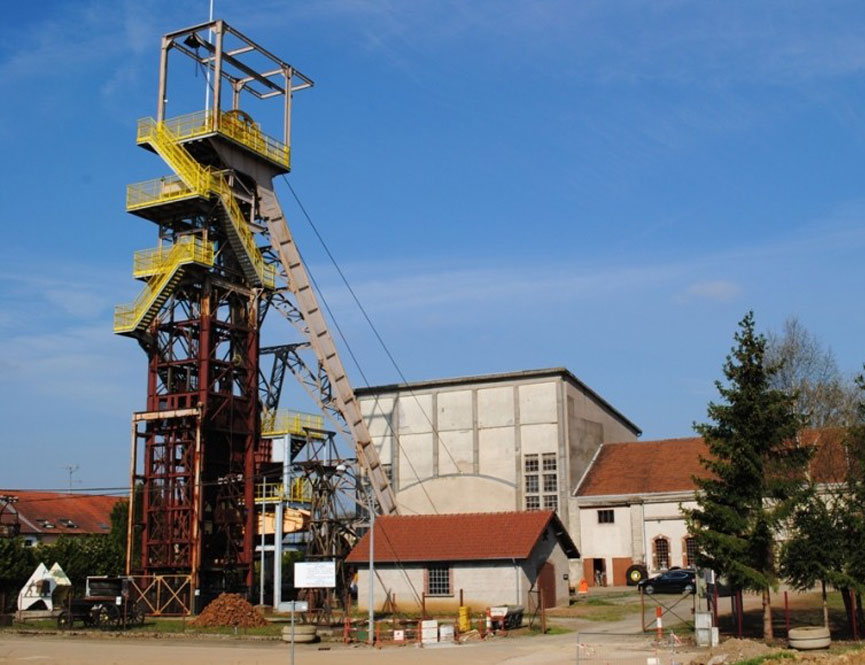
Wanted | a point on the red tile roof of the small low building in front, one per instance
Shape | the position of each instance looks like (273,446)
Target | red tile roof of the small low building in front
(460,537)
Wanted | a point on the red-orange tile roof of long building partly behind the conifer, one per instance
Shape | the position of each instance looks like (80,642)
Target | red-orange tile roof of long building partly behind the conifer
(669,465)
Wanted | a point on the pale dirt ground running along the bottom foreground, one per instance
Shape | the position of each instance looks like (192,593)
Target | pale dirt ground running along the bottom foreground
(613,641)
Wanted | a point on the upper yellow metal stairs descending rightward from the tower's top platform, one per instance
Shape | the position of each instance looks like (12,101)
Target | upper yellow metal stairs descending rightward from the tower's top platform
(204,182)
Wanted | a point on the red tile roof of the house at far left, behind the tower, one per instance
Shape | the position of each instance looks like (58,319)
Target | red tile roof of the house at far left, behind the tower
(66,513)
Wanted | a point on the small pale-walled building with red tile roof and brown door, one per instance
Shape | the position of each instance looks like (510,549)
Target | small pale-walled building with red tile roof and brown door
(478,559)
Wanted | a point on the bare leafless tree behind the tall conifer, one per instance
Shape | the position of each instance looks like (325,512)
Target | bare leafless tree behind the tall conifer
(808,370)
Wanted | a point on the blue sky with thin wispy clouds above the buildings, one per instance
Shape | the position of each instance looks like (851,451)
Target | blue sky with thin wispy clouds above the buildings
(607,186)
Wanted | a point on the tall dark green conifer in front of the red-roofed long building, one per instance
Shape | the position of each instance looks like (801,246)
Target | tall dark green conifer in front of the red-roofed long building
(755,466)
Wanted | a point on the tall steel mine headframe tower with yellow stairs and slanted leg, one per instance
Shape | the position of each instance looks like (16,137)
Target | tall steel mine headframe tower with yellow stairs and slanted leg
(225,258)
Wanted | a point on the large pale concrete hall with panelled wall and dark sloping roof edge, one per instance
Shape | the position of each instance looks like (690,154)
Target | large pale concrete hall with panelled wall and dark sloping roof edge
(498,442)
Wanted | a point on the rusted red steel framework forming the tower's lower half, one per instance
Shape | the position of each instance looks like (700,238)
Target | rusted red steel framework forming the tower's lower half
(199,436)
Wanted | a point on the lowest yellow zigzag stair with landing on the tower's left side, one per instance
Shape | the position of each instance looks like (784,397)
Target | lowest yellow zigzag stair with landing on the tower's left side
(163,266)
